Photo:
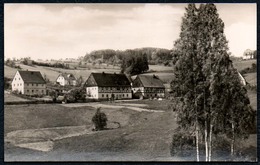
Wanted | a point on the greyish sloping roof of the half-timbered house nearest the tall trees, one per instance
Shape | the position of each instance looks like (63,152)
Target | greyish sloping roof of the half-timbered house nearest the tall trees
(150,81)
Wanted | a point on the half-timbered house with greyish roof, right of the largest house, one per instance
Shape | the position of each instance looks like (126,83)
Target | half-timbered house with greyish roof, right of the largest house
(148,86)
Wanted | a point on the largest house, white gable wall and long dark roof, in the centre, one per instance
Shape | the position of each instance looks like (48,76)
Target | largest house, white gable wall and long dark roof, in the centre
(108,86)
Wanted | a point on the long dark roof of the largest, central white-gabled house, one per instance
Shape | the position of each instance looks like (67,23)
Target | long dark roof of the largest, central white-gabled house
(110,80)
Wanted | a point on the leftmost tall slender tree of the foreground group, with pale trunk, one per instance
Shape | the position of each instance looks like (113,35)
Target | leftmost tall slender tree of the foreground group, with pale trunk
(185,79)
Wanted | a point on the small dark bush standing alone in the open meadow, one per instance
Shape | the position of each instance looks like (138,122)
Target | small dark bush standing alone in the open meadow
(99,120)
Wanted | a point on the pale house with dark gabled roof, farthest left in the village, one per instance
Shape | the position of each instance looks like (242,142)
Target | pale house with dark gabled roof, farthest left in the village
(29,83)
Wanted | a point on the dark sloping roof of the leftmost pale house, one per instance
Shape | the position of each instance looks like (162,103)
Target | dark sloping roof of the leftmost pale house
(32,77)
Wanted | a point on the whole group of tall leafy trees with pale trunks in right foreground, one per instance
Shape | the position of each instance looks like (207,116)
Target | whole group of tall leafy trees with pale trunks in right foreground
(209,99)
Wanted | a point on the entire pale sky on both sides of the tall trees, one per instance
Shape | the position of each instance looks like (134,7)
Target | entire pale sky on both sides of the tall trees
(54,31)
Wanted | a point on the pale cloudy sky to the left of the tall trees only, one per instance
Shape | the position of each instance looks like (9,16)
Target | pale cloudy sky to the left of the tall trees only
(38,31)
